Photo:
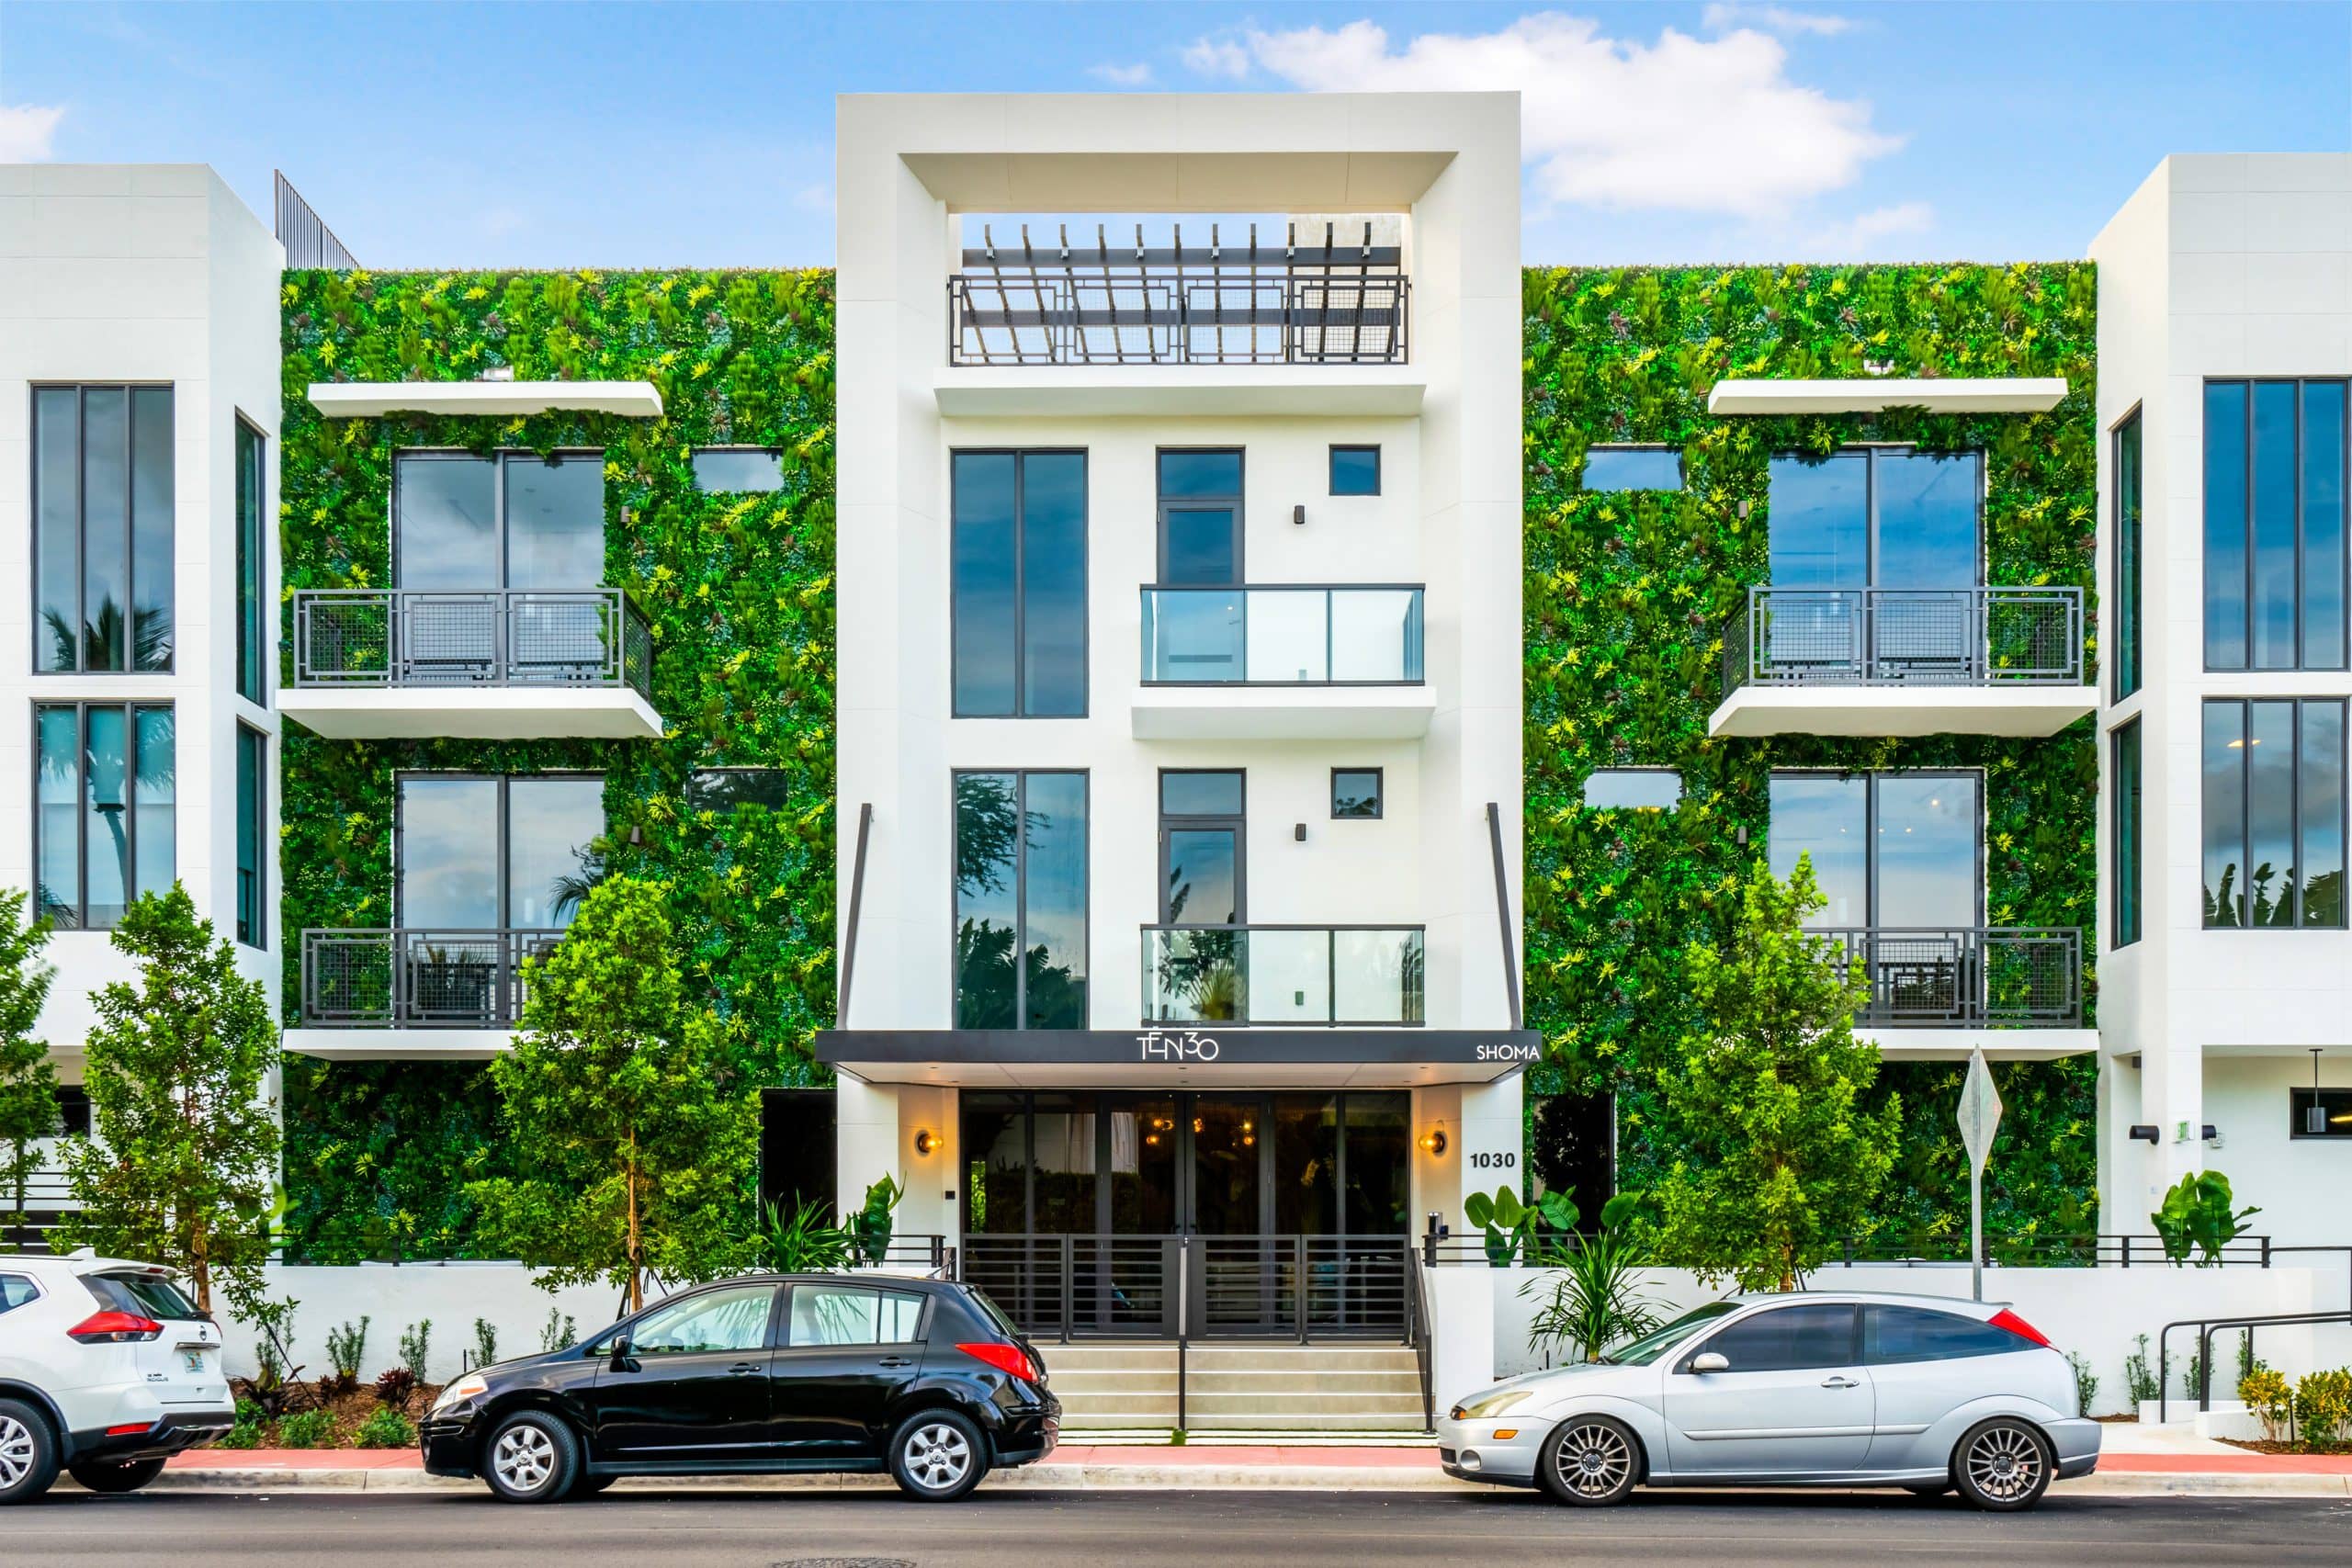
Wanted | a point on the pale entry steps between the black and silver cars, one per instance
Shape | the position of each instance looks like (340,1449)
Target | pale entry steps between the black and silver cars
(1236,1386)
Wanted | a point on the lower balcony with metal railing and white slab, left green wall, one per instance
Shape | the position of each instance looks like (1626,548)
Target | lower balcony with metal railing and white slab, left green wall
(387,996)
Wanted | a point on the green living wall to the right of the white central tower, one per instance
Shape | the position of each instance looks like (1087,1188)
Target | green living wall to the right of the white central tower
(1626,608)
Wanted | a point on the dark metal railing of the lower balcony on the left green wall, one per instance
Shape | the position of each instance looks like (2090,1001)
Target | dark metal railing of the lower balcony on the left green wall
(417,979)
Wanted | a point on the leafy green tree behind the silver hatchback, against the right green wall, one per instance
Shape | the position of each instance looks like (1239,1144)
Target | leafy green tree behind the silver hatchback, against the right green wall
(1777,1155)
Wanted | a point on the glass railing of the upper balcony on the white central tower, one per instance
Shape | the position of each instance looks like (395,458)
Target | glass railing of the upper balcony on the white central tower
(1283,636)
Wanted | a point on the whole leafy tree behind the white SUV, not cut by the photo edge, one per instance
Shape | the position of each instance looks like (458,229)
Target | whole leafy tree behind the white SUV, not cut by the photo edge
(185,1153)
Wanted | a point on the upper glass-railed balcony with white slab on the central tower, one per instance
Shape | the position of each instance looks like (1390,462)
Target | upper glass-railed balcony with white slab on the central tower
(1290,662)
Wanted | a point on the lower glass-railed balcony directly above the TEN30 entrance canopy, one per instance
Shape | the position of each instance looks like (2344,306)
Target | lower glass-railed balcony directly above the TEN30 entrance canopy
(1351,977)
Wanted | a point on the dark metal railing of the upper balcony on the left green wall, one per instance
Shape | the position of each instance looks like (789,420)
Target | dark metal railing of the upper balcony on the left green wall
(493,638)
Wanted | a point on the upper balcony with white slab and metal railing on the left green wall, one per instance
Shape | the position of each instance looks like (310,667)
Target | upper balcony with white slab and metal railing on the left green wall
(483,666)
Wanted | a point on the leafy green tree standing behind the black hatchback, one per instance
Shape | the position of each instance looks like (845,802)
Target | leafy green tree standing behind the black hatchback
(636,1158)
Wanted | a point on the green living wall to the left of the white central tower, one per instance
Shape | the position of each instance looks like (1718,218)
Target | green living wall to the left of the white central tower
(740,598)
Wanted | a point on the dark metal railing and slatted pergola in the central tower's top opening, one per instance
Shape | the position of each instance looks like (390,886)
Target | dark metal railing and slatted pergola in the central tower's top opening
(1205,304)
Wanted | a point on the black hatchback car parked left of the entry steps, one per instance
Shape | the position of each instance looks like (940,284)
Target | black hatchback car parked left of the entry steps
(756,1376)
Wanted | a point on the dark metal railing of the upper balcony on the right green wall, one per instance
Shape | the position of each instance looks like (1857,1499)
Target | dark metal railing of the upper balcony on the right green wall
(1906,638)
